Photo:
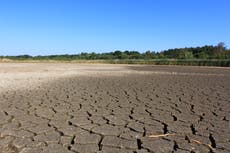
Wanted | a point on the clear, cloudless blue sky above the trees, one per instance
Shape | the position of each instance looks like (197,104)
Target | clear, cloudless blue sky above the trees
(41,27)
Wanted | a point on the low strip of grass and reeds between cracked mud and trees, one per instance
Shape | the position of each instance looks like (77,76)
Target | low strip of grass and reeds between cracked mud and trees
(185,62)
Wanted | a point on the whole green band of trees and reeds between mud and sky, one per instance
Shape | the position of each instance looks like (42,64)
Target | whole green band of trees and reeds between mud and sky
(210,55)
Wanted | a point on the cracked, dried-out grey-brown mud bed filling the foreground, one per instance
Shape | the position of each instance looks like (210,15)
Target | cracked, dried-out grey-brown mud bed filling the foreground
(70,108)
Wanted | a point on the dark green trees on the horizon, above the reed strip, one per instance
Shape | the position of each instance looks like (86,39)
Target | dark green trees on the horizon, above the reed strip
(205,52)
